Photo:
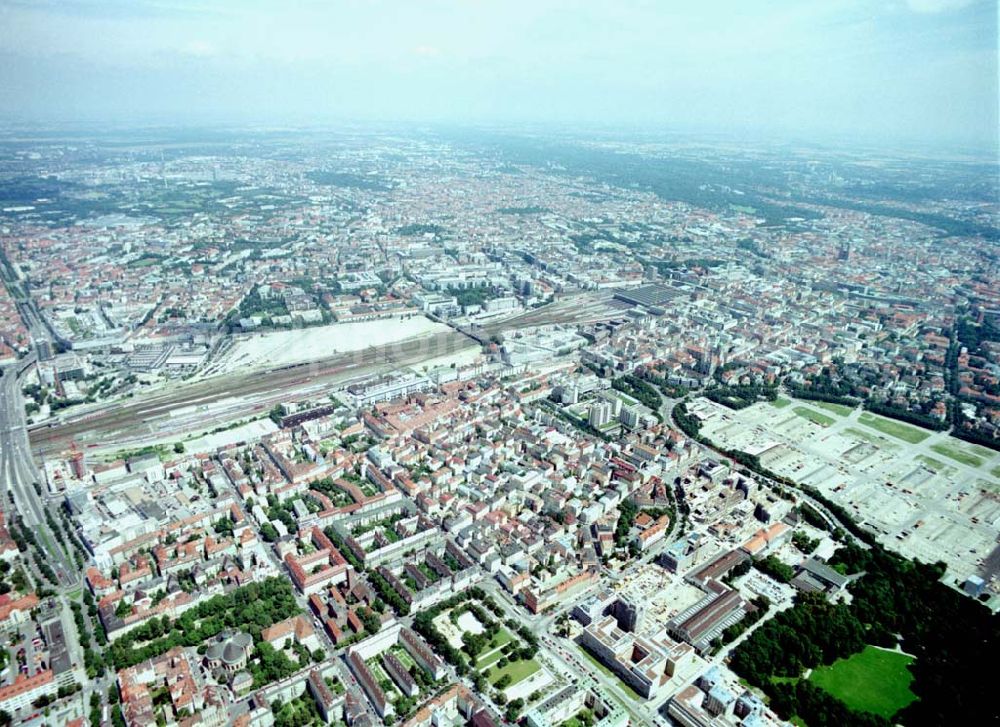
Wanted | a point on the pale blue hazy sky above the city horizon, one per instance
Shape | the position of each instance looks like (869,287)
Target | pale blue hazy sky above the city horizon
(919,69)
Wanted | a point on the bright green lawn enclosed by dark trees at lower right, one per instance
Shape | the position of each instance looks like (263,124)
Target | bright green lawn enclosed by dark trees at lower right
(873,680)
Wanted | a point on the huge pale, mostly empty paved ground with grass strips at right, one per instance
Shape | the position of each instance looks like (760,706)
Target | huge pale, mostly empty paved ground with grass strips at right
(921,502)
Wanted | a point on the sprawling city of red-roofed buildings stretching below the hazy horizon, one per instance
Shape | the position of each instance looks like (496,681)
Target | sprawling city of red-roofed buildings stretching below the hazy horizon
(420,423)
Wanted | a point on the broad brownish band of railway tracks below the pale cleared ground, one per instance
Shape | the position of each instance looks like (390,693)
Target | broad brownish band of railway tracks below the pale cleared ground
(243,394)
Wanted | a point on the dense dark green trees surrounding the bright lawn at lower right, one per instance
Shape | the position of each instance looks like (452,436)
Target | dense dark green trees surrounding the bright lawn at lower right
(895,600)
